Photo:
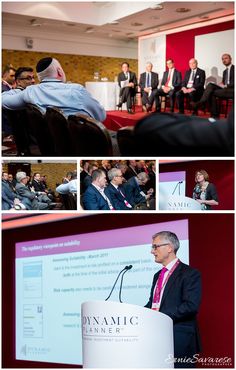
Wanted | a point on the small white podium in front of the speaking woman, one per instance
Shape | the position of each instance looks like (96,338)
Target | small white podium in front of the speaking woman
(178,203)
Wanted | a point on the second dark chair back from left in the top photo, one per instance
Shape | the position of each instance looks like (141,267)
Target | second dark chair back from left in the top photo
(38,127)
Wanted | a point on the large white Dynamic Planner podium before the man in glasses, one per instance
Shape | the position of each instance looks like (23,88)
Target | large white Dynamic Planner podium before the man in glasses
(120,335)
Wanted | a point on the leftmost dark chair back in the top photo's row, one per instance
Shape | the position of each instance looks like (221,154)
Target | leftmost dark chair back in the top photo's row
(18,120)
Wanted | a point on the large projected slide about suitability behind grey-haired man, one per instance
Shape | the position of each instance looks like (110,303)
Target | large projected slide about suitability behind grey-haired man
(55,276)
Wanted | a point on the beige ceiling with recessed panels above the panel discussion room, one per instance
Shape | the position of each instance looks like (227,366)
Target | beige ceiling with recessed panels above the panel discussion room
(120,20)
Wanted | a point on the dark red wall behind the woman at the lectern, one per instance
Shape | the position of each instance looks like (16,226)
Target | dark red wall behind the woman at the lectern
(221,175)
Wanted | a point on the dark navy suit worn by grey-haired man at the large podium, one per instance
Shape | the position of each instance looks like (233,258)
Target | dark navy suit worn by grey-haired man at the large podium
(180,301)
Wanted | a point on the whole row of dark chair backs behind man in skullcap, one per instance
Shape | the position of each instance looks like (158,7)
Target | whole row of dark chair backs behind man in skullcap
(57,135)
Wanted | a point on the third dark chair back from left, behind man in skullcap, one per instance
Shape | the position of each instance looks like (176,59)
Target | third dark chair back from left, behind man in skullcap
(58,127)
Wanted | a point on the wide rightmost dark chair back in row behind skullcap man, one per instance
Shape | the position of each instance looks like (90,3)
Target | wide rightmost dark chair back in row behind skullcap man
(89,137)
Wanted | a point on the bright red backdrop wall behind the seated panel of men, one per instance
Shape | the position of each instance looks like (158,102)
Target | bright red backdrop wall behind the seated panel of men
(180,46)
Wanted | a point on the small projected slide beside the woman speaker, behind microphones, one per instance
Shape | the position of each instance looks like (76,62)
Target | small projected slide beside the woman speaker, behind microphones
(172,183)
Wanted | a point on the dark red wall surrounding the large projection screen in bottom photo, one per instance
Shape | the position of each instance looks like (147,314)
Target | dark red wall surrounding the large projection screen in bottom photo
(211,251)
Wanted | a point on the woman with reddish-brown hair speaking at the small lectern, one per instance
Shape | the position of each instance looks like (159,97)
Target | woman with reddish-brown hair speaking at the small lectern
(204,191)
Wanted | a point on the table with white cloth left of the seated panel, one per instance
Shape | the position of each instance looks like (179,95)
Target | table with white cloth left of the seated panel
(106,93)
